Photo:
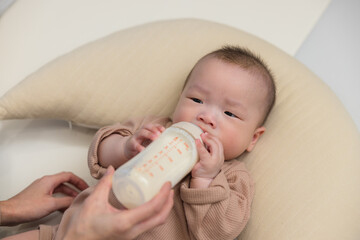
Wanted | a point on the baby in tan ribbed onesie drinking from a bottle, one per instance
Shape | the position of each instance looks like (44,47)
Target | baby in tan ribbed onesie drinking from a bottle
(228,94)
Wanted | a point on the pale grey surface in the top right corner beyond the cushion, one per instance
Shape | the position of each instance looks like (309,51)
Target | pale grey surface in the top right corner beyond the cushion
(332,51)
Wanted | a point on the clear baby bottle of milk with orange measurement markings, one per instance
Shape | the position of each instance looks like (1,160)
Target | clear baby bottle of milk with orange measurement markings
(169,158)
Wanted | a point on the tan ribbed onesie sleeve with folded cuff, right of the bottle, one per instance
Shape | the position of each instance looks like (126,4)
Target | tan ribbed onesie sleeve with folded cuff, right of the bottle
(222,210)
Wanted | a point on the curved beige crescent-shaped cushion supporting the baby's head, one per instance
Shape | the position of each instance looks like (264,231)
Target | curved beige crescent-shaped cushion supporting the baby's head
(306,166)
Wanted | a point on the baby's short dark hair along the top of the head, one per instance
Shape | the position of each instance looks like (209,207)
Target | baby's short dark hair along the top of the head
(251,62)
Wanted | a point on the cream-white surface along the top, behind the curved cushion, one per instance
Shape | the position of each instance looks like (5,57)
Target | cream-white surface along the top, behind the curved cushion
(34,32)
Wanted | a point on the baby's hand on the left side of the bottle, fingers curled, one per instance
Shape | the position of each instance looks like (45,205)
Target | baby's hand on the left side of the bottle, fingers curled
(141,138)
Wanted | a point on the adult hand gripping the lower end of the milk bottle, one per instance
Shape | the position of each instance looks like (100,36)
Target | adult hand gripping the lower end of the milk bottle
(97,219)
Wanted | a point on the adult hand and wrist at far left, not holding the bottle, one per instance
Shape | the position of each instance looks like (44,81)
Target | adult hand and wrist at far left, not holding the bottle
(37,200)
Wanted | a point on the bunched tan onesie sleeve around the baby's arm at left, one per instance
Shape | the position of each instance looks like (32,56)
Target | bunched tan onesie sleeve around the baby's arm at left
(126,129)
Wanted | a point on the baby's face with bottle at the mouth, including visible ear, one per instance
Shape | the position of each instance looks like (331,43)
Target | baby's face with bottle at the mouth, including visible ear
(225,101)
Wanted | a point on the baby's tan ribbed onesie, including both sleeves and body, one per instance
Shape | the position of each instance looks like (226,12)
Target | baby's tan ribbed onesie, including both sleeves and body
(220,211)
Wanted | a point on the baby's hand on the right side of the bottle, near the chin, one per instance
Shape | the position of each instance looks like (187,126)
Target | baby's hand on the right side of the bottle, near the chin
(211,158)
